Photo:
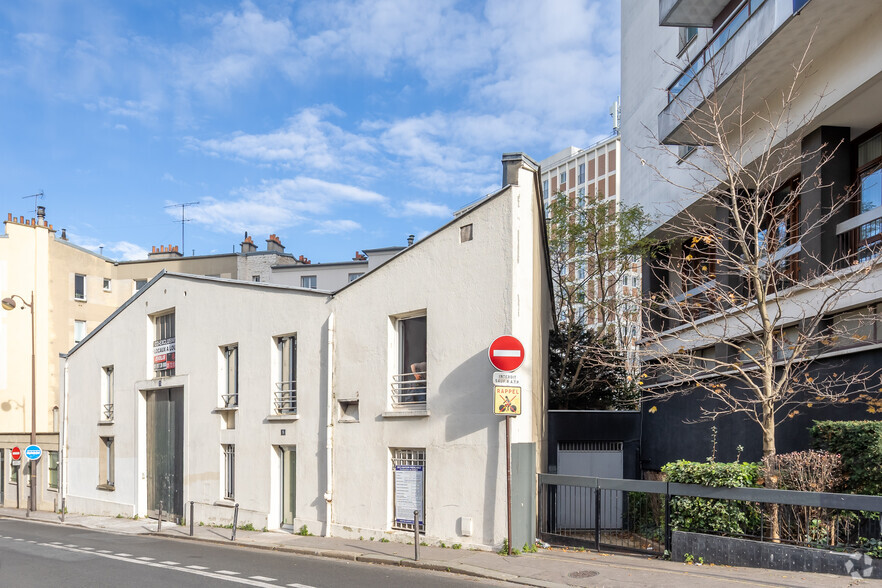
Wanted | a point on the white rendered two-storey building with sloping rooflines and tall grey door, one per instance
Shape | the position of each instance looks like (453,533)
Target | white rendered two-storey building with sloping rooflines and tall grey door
(343,411)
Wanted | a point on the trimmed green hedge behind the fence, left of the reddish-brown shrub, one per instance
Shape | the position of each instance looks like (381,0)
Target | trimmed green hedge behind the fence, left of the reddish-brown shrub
(729,517)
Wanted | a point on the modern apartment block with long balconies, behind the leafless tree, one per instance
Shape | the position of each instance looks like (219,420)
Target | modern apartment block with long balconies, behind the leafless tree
(746,50)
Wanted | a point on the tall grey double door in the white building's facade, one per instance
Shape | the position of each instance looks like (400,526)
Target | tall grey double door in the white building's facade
(165,453)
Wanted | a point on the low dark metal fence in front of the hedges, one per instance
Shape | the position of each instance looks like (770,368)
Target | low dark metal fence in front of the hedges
(639,515)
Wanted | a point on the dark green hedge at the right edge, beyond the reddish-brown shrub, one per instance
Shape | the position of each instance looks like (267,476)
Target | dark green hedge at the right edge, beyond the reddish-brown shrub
(860,445)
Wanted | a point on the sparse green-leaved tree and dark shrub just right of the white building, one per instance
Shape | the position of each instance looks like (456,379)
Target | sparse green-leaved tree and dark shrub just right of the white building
(595,245)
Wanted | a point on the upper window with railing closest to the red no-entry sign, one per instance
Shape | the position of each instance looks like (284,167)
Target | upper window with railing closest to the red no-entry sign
(409,383)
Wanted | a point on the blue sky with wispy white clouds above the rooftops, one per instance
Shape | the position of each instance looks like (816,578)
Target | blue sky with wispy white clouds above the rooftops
(336,125)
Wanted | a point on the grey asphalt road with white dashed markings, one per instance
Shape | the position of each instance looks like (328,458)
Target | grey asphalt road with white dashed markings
(43,555)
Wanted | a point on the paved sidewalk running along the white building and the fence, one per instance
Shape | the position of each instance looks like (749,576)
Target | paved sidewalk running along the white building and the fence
(548,567)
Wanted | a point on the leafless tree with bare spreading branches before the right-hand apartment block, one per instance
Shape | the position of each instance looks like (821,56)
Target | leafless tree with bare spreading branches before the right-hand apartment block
(742,307)
